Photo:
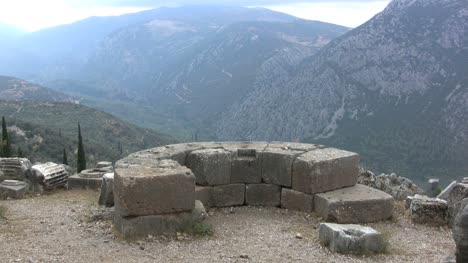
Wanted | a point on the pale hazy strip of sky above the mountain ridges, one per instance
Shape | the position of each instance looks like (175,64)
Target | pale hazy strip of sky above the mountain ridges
(36,14)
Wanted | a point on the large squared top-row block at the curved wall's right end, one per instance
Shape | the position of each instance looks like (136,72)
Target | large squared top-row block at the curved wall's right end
(323,170)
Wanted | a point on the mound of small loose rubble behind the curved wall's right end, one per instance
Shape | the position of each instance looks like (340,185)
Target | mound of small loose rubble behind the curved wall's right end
(398,187)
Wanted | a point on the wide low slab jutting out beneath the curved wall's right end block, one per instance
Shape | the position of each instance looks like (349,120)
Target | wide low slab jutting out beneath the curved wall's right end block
(356,204)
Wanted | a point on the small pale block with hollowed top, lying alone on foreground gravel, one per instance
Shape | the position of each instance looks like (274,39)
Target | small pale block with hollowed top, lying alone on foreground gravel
(351,239)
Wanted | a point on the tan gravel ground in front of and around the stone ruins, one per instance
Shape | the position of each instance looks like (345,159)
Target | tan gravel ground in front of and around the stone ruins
(67,226)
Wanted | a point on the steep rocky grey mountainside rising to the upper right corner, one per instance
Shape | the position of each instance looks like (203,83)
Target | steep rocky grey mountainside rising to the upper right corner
(394,89)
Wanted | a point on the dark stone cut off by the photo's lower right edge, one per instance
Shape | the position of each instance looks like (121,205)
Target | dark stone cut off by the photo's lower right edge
(460,234)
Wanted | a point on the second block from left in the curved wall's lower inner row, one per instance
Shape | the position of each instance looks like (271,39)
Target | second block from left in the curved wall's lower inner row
(228,195)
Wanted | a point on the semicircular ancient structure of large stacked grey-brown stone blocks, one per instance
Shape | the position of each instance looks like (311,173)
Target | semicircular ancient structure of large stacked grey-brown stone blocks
(161,190)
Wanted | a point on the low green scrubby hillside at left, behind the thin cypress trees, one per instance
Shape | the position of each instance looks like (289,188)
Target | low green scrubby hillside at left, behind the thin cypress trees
(43,129)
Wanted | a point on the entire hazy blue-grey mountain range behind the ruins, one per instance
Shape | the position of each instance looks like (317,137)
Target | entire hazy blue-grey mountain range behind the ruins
(394,89)
